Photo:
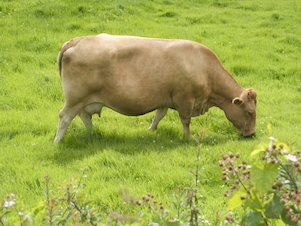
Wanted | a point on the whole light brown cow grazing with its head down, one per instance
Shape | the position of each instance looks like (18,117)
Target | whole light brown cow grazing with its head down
(136,75)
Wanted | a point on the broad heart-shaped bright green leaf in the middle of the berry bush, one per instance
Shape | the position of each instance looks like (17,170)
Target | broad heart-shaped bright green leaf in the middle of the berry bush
(263,179)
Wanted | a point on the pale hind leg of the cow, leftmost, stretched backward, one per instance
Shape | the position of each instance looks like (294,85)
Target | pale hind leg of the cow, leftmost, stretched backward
(66,115)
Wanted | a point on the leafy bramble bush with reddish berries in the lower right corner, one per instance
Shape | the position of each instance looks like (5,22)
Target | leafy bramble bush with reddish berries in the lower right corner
(268,189)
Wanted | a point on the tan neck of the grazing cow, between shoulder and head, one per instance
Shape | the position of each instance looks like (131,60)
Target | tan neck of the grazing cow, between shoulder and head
(225,89)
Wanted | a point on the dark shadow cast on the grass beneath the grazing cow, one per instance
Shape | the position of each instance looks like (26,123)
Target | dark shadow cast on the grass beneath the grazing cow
(80,144)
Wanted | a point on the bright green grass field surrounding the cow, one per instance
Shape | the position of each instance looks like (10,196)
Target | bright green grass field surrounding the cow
(257,41)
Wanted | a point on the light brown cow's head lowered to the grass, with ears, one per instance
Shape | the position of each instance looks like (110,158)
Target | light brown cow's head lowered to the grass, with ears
(242,112)
